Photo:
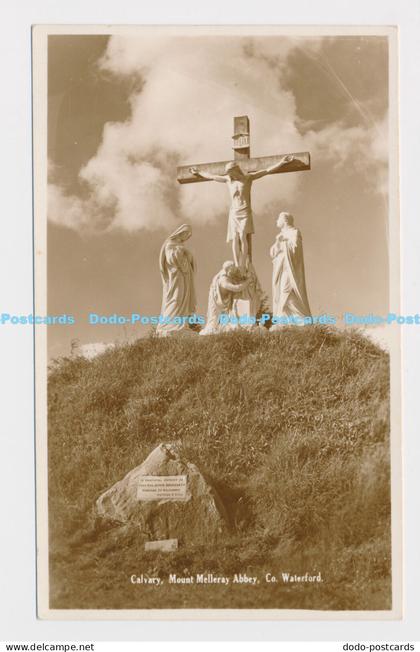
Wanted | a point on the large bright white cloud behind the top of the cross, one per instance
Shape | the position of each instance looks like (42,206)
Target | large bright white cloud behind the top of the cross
(191,88)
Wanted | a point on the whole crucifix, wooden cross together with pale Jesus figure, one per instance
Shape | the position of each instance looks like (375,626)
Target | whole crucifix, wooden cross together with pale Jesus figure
(239,175)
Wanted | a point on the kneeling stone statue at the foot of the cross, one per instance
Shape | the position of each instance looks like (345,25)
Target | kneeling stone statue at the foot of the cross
(225,286)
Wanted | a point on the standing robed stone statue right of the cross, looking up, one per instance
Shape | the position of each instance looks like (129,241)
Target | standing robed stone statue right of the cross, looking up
(289,287)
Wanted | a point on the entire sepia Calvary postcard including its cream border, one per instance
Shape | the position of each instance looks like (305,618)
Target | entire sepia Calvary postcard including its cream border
(217,318)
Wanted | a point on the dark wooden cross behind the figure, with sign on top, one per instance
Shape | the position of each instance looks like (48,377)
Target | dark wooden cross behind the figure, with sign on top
(242,154)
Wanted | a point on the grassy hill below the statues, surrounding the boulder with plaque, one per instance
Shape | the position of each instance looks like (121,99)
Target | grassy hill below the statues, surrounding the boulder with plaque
(293,430)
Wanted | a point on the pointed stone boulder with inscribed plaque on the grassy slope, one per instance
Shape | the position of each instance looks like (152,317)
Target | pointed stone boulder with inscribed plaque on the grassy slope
(195,517)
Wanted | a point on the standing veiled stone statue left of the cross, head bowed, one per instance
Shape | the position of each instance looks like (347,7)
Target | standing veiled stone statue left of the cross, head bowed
(177,271)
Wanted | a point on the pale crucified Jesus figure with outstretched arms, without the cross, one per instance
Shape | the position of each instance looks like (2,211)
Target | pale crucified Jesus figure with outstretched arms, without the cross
(240,222)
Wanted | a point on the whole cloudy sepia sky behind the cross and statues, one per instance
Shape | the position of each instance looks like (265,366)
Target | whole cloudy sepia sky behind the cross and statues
(124,111)
